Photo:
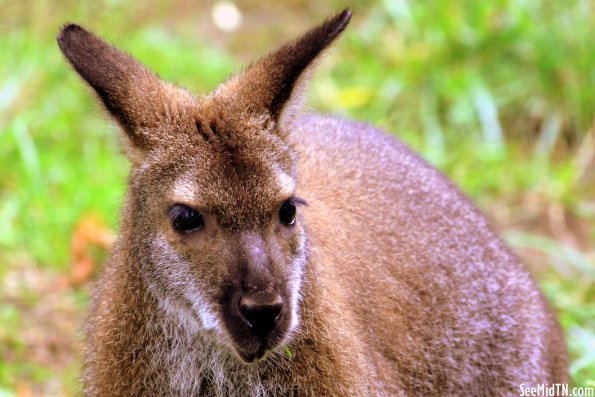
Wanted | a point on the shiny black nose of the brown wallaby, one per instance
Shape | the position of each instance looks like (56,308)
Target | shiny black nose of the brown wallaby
(261,311)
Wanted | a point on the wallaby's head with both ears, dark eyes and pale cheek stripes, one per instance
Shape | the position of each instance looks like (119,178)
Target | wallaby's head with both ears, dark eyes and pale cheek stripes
(213,216)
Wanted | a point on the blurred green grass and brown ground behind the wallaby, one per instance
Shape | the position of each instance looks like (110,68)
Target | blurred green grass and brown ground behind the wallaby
(499,95)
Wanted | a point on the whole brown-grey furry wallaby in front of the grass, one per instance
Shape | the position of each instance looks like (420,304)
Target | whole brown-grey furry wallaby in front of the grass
(266,253)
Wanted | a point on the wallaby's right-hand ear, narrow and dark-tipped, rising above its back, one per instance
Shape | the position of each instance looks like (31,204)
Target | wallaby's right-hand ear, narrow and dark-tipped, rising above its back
(274,83)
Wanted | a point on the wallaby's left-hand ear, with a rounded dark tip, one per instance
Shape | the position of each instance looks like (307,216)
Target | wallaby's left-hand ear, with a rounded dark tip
(132,94)
